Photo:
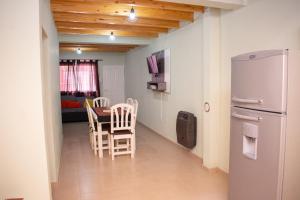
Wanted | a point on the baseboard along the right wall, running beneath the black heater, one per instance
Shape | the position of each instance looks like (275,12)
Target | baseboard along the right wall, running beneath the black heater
(210,170)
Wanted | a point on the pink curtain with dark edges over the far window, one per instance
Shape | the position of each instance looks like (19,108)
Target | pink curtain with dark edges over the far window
(79,77)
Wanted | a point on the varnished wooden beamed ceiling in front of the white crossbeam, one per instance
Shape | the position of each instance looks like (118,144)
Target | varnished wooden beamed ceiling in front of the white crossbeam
(101,17)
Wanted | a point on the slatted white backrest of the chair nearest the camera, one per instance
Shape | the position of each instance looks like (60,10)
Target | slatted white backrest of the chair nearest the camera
(122,117)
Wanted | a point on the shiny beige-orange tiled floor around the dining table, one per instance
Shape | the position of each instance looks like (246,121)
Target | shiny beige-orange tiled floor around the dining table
(161,170)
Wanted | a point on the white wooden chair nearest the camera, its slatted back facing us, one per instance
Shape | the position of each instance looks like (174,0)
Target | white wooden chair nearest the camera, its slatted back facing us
(122,128)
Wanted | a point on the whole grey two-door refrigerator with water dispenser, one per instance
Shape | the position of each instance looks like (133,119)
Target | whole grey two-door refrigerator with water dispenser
(265,126)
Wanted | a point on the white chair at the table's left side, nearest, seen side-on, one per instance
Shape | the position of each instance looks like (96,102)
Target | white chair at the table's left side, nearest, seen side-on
(100,138)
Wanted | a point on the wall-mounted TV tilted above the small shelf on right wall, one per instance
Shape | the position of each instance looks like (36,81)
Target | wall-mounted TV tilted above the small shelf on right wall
(156,62)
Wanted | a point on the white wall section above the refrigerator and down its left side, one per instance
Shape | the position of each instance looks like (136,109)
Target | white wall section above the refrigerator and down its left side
(262,24)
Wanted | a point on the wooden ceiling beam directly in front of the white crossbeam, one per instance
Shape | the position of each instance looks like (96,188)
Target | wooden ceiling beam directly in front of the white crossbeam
(107,32)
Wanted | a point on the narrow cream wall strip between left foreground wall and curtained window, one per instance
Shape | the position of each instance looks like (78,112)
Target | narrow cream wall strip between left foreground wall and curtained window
(52,109)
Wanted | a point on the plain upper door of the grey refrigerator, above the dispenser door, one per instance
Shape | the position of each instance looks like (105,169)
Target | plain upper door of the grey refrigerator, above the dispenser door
(259,80)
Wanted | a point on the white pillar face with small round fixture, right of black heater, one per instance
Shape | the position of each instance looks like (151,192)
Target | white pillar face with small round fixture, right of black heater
(211,87)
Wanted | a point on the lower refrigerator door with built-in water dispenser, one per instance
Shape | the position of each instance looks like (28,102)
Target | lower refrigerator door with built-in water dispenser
(256,155)
